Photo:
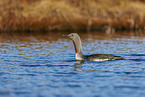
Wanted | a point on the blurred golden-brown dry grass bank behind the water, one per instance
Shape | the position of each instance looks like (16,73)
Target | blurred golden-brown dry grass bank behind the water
(63,15)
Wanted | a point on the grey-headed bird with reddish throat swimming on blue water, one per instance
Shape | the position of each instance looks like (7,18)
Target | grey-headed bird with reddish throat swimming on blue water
(94,57)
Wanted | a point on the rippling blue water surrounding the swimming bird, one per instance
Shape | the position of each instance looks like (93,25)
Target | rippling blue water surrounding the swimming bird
(43,65)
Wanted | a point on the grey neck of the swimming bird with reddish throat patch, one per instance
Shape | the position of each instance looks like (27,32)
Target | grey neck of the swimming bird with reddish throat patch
(78,49)
